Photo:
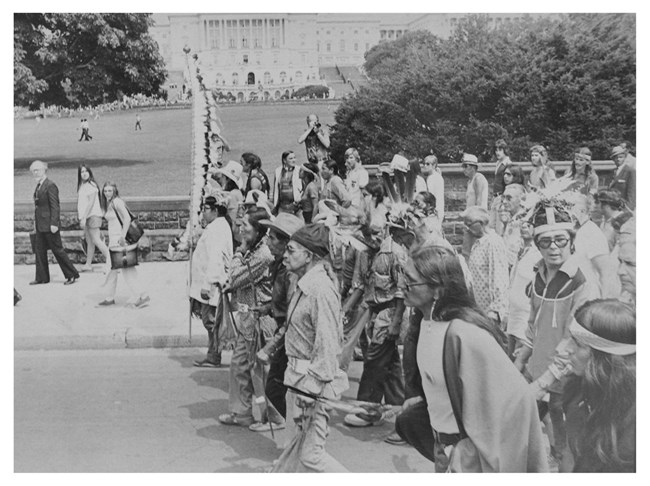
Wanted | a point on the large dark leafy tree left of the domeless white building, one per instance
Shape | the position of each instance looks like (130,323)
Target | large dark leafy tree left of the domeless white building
(84,58)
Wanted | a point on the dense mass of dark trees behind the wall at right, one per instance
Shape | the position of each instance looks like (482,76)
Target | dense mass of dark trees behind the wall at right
(563,82)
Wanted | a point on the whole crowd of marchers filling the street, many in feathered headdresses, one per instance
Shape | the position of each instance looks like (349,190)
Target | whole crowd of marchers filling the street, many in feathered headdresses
(523,338)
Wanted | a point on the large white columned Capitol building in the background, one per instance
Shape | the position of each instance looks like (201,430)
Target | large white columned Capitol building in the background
(267,56)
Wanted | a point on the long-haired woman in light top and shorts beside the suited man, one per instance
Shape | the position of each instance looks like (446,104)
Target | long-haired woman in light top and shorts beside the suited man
(89,212)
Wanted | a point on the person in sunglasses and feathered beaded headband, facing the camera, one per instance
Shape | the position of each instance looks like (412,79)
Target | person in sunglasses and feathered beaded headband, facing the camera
(558,288)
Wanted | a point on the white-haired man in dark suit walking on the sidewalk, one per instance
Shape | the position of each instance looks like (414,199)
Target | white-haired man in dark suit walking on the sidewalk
(47,222)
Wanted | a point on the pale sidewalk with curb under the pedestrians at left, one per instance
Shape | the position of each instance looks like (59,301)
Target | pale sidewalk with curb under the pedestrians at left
(57,316)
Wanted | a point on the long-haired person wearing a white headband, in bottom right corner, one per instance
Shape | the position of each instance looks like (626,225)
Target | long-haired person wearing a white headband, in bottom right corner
(600,396)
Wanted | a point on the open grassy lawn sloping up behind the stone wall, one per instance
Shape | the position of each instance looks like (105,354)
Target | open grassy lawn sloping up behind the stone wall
(156,160)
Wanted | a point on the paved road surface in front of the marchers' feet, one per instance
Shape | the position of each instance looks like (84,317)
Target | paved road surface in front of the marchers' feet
(149,410)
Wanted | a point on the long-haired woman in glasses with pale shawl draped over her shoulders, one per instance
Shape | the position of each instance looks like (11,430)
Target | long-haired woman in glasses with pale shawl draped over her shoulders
(465,391)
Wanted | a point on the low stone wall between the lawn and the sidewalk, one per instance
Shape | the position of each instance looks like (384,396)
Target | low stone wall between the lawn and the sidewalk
(166,217)
